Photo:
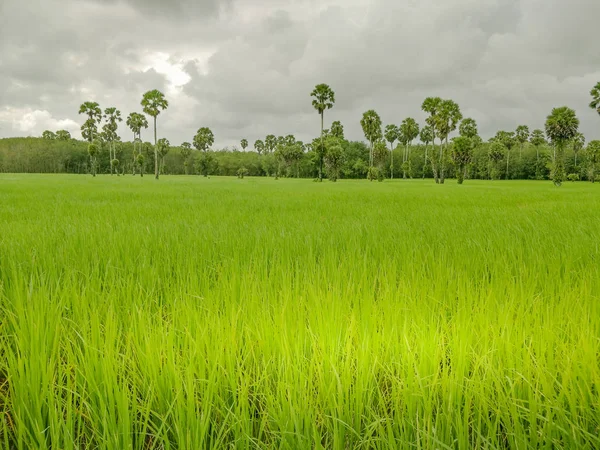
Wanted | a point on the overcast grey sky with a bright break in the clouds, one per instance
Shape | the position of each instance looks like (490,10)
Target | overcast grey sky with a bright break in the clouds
(245,68)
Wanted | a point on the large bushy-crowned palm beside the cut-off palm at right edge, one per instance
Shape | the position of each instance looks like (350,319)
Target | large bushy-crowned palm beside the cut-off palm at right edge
(561,127)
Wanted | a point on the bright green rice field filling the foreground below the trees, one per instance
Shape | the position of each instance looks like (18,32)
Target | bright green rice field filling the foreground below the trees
(197,313)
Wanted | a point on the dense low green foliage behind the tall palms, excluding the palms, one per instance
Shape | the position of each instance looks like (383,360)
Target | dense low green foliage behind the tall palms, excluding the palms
(37,155)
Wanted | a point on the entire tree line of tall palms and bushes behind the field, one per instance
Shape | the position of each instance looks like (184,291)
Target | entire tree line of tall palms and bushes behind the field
(559,152)
